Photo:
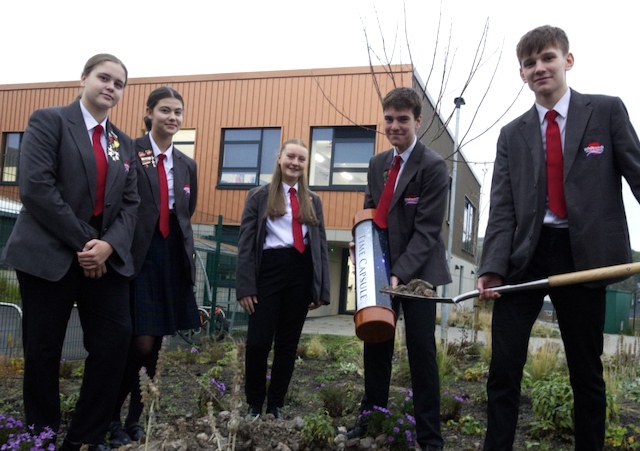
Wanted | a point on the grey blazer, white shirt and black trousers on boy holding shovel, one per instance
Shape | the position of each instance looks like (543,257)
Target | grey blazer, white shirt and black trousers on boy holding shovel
(524,242)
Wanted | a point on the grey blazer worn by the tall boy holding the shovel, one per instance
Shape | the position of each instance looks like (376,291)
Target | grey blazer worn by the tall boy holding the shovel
(600,148)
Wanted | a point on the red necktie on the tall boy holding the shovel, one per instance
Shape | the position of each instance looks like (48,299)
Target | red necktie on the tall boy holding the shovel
(555,166)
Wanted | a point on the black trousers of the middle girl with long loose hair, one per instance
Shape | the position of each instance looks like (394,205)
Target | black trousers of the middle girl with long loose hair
(284,294)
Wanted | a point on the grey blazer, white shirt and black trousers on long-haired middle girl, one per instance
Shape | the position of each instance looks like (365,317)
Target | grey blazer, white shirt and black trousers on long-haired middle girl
(285,282)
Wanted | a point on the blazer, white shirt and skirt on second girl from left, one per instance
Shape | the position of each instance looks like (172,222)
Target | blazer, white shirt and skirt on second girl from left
(163,299)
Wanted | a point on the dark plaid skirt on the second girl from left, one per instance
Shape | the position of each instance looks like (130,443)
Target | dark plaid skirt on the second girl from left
(162,297)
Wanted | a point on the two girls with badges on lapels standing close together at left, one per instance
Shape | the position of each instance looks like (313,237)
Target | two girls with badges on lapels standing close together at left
(105,224)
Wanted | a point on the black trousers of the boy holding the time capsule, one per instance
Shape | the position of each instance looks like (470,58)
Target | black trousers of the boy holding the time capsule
(420,320)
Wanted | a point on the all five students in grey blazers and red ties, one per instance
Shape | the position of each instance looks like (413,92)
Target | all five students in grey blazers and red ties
(123,251)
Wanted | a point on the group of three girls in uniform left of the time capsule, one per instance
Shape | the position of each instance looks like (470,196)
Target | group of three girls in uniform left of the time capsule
(106,225)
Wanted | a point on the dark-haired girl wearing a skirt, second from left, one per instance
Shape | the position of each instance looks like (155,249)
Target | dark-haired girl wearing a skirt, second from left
(162,298)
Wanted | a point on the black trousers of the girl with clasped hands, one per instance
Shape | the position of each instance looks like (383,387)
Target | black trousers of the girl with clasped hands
(103,307)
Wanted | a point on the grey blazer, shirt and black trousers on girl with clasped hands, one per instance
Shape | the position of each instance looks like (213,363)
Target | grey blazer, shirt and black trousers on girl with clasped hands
(58,185)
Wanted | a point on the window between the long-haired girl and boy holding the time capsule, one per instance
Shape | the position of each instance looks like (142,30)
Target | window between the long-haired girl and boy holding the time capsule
(340,156)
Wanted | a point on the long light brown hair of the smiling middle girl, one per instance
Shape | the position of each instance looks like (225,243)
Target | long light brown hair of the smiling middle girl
(275,200)
